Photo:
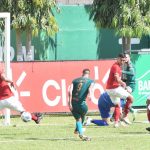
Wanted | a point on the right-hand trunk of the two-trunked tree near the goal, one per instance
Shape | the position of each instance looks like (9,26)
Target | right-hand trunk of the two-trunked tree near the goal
(28,44)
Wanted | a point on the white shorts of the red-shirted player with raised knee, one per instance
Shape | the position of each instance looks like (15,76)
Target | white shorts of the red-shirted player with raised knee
(117,93)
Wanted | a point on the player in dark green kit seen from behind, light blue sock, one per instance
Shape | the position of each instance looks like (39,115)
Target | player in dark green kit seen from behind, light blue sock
(79,90)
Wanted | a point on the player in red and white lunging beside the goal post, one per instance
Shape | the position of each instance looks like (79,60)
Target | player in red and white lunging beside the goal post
(8,100)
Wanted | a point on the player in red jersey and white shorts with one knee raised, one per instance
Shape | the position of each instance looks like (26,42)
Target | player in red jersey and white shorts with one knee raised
(116,89)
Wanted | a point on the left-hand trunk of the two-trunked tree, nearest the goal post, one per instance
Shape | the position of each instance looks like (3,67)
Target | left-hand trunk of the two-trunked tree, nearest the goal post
(19,45)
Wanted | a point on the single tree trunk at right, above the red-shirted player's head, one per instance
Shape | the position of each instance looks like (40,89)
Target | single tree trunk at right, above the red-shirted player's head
(126,44)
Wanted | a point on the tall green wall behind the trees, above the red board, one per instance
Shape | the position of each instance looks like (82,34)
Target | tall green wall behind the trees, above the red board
(77,39)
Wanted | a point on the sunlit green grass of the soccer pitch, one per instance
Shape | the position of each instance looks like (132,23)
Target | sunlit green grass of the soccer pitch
(56,133)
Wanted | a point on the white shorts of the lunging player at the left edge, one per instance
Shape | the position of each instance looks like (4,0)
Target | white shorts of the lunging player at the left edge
(12,103)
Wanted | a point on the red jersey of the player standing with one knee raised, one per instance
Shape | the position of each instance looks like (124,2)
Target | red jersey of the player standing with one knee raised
(112,83)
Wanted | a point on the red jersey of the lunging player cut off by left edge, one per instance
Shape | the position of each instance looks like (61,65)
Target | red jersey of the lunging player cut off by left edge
(5,91)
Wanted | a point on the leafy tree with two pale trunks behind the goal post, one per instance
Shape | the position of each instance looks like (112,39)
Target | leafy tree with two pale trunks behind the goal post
(30,16)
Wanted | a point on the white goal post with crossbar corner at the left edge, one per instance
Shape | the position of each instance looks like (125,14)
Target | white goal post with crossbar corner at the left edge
(6,17)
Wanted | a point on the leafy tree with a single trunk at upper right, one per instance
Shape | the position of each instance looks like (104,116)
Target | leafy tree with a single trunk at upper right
(130,18)
